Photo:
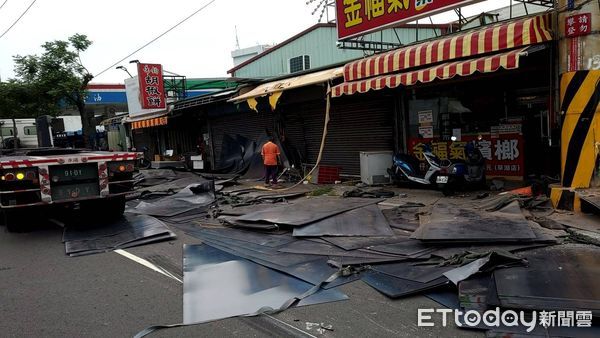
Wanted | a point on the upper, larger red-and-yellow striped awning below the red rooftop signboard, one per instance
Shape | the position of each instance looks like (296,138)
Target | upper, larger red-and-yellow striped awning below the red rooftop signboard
(492,39)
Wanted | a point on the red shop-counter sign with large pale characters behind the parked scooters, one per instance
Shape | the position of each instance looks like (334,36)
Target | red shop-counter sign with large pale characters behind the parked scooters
(504,154)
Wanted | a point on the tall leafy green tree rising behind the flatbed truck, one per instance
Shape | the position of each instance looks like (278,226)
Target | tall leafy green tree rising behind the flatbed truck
(59,77)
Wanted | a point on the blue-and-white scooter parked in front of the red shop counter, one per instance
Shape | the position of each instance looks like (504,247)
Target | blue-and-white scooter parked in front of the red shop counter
(406,169)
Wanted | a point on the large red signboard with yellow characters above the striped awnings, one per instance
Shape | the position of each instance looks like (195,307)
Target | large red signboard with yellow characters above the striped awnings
(358,17)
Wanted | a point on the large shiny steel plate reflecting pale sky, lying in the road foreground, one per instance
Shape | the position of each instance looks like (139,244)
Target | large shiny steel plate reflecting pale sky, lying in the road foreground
(218,285)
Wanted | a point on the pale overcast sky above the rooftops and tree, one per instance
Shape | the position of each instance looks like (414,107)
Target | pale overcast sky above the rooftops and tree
(200,47)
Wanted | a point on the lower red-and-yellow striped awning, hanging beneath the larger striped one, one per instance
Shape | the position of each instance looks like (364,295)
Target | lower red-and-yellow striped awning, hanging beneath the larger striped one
(445,71)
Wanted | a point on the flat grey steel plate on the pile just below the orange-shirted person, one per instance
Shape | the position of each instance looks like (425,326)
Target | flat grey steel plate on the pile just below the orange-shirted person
(307,211)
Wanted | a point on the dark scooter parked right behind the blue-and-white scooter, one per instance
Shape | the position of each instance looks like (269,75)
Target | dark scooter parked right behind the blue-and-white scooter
(462,174)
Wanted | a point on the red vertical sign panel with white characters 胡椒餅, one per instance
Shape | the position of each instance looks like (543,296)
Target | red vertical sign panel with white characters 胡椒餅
(151,86)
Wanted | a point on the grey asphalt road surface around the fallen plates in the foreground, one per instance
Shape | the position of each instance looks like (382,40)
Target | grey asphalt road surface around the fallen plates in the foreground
(45,293)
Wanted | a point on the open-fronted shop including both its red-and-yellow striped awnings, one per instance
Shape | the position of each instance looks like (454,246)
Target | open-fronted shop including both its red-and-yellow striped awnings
(496,82)
